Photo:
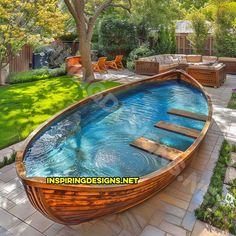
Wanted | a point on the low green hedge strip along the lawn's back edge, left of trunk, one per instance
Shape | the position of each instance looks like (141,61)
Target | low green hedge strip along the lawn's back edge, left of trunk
(37,74)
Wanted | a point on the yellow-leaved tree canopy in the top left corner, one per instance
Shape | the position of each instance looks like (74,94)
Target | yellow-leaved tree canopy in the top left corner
(27,22)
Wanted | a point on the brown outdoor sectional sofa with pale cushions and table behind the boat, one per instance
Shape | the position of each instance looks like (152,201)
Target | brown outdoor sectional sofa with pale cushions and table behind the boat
(208,70)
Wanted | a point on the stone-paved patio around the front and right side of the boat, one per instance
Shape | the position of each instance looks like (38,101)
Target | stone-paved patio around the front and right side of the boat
(170,212)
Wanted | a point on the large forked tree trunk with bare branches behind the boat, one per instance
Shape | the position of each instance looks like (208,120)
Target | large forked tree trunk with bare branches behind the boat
(85,14)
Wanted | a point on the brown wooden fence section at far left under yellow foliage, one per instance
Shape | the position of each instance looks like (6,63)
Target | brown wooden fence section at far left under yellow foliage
(23,61)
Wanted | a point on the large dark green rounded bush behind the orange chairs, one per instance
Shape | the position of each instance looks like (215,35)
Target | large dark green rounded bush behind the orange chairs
(117,36)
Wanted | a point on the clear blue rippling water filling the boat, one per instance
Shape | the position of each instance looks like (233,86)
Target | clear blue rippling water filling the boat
(93,141)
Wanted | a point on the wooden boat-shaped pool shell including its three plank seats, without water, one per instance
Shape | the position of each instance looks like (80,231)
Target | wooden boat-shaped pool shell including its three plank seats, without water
(74,204)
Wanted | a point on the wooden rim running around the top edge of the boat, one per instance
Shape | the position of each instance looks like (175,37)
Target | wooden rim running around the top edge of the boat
(41,181)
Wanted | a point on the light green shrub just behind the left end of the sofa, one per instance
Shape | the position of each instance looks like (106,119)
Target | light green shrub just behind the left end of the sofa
(142,51)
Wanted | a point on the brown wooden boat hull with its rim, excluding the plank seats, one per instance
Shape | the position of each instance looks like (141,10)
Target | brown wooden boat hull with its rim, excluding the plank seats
(74,204)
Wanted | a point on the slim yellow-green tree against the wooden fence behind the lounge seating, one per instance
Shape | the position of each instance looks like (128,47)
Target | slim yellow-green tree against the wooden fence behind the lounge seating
(199,36)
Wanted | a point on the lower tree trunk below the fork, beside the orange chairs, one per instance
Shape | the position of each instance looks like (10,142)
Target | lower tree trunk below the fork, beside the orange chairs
(85,52)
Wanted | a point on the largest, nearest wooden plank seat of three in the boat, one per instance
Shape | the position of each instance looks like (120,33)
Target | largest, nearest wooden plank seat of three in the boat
(156,148)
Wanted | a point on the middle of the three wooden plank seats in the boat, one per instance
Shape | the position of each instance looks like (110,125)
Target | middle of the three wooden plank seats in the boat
(192,133)
